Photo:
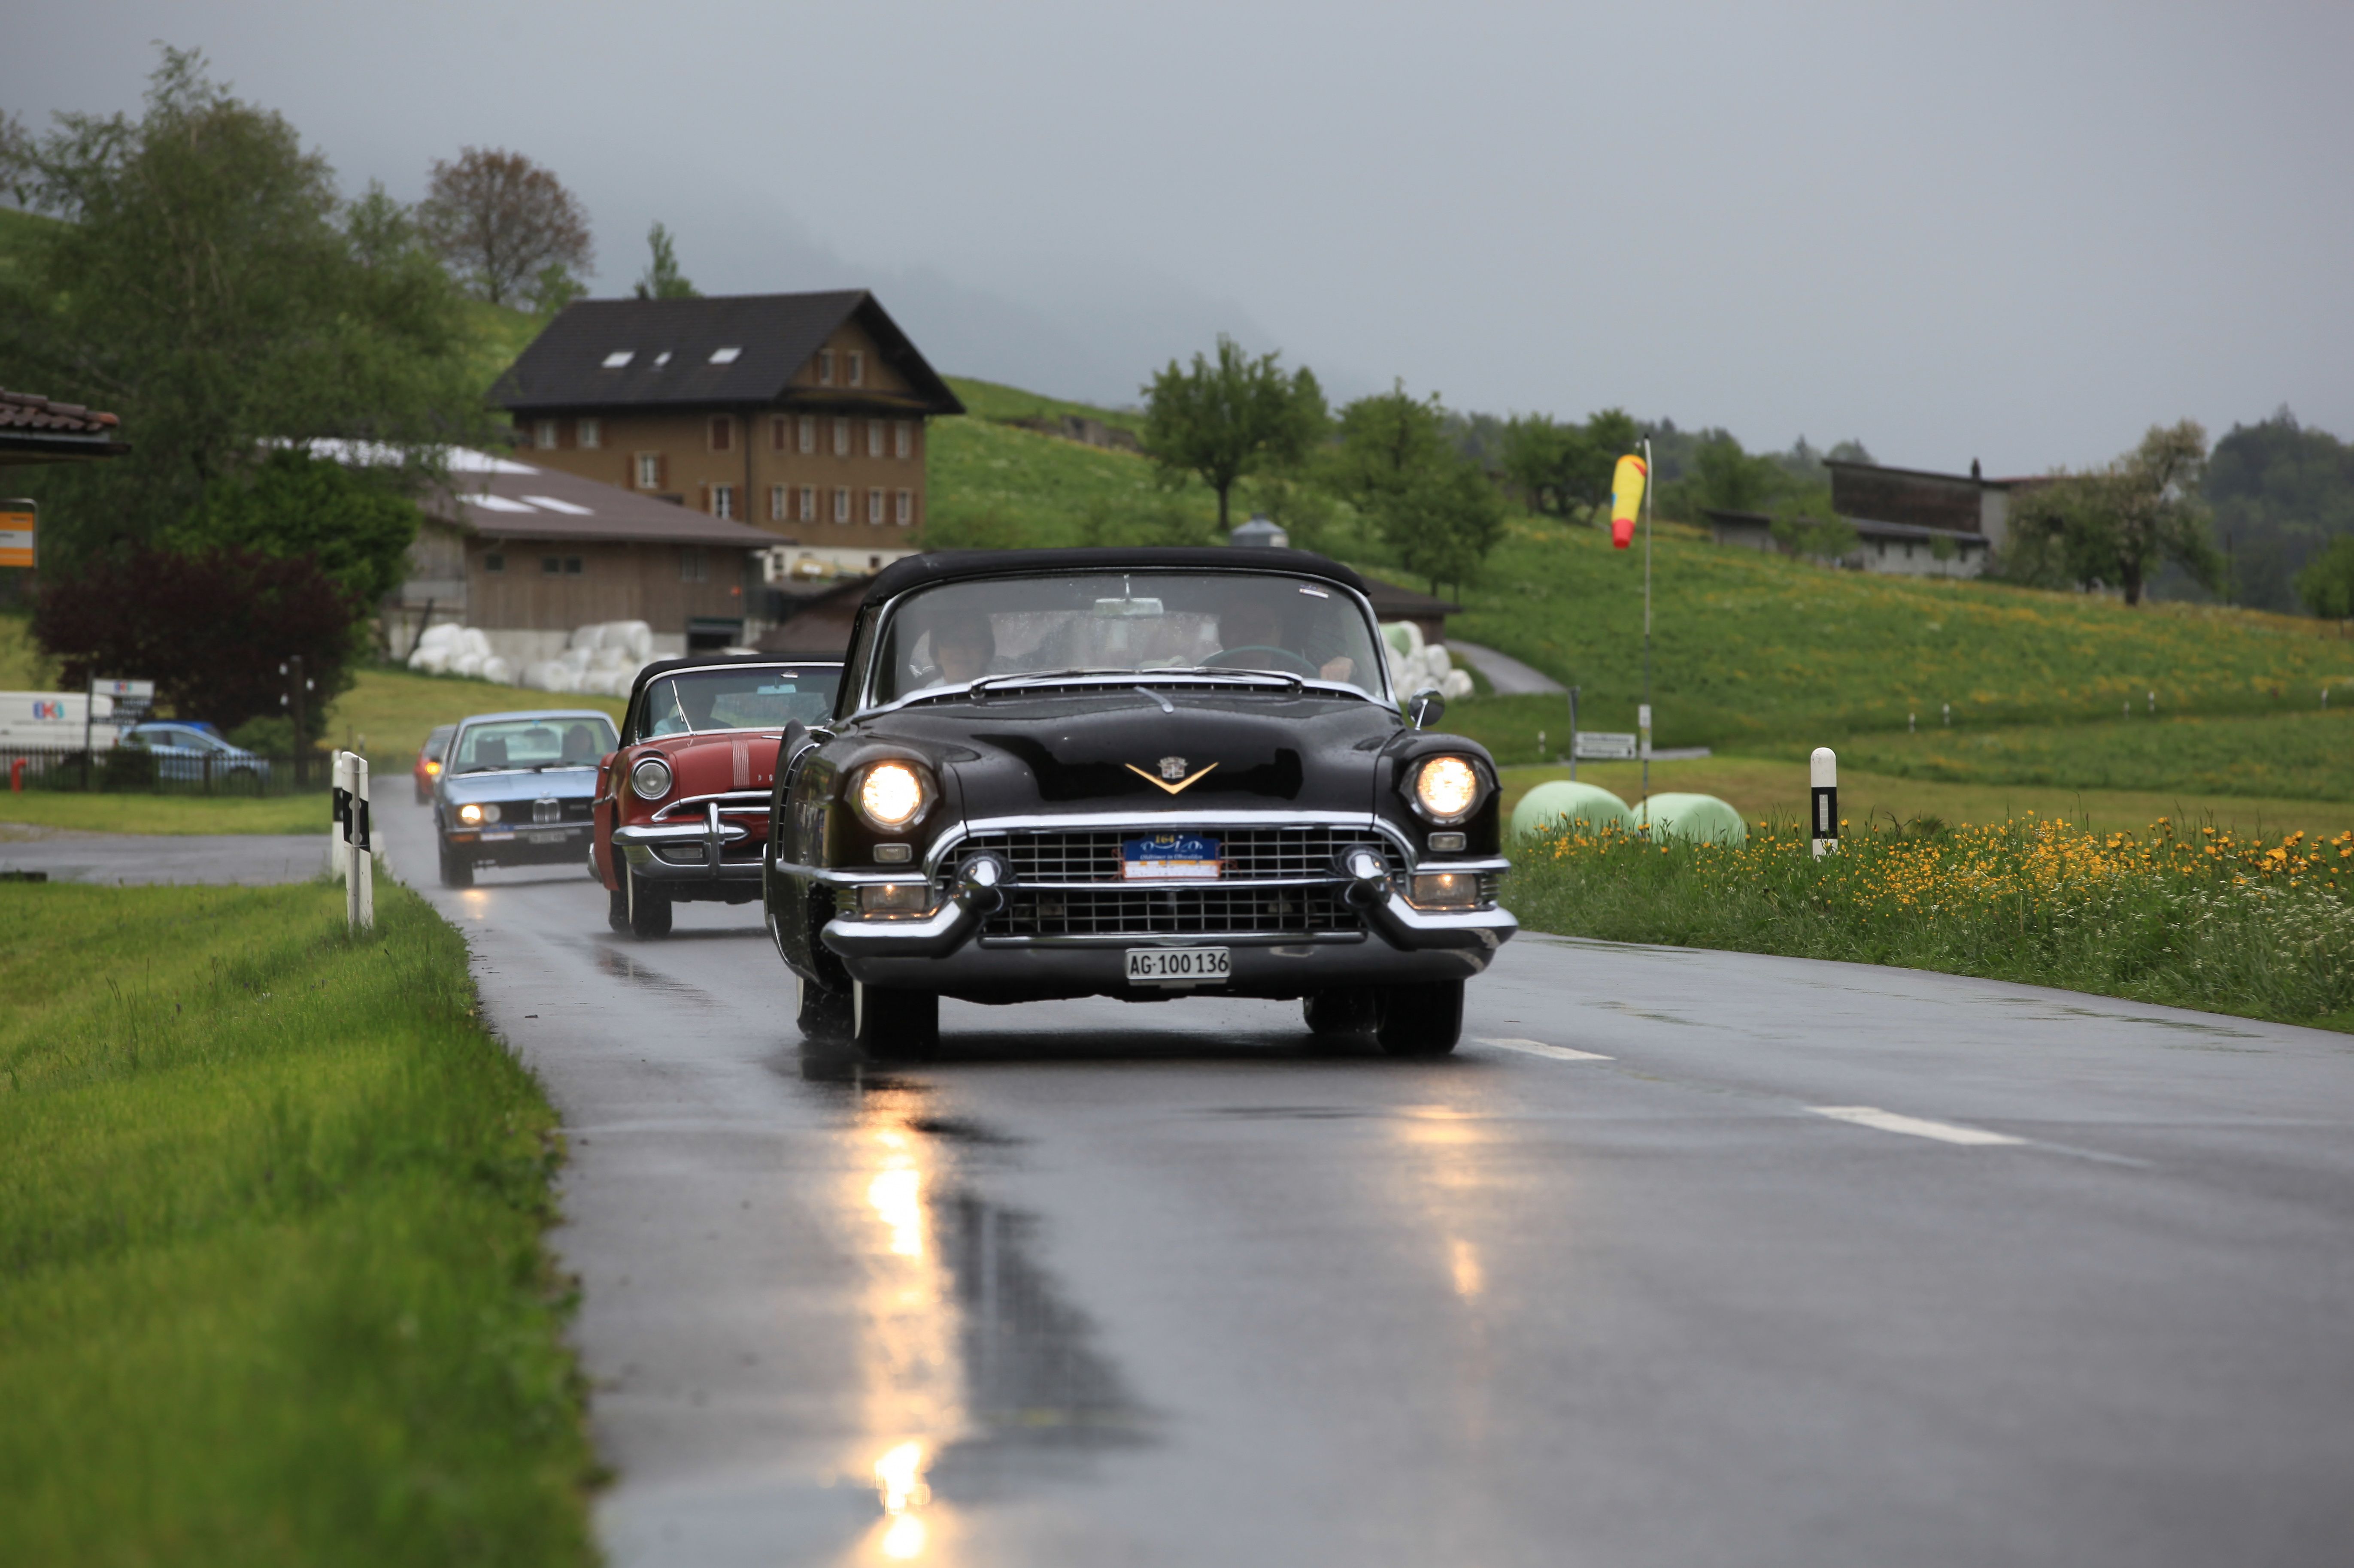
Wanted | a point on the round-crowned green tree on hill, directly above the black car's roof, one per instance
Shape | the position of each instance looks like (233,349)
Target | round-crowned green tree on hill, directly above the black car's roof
(1230,418)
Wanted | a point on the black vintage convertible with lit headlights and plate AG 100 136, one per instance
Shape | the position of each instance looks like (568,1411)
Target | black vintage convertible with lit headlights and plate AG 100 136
(1129,773)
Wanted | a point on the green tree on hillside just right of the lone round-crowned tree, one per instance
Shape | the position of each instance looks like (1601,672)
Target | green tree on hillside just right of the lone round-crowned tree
(1432,507)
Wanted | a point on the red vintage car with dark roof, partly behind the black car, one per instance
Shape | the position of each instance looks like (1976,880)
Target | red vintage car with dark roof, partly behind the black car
(681,809)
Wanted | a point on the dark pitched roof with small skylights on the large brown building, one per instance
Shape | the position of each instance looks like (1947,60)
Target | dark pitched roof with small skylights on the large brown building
(672,345)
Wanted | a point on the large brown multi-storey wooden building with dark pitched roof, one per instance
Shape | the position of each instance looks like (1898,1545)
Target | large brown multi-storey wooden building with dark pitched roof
(797,413)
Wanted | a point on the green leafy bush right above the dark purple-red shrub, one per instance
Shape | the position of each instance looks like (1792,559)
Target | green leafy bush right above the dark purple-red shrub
(354,526)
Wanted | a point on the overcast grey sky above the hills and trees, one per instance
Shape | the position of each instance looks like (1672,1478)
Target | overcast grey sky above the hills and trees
(2002,232)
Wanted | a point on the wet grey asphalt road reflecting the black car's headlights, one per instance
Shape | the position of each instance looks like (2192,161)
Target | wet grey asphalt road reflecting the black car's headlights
(1119,1284)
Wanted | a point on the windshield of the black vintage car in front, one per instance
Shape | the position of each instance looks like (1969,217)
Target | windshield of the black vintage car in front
(1119,623)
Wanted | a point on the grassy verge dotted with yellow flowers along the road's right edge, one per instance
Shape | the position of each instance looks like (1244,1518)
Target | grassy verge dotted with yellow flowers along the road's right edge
(2197,919)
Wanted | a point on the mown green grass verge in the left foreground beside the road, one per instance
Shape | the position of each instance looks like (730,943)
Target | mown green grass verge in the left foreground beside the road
(272,1273)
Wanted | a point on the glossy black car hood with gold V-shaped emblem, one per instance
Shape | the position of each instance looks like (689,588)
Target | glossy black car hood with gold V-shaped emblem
(1117,750)
